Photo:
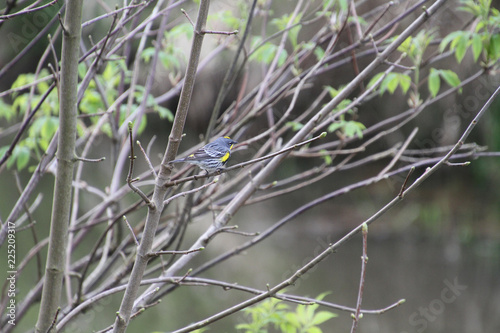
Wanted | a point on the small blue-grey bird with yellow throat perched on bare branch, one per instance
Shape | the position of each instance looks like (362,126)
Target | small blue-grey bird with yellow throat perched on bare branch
(211,157)
